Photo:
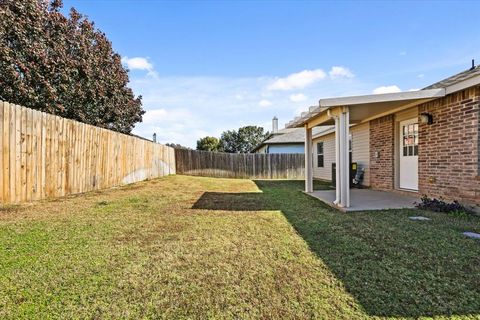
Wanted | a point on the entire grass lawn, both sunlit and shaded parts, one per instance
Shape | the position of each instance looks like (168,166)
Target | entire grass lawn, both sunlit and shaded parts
(188,247)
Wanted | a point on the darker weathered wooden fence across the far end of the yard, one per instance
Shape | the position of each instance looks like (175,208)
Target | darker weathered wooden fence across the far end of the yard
(235,165)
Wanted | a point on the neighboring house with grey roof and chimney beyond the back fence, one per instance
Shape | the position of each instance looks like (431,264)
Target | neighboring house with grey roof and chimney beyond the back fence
(288,140)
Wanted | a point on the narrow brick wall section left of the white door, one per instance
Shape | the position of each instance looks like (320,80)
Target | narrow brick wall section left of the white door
(382,140)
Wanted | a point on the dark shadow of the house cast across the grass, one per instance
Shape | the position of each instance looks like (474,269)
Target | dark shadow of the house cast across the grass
(392,266)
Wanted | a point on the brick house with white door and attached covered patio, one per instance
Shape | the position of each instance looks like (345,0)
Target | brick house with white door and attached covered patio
(419,142)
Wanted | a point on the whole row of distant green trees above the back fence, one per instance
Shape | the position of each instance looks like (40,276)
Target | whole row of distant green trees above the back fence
(242,140)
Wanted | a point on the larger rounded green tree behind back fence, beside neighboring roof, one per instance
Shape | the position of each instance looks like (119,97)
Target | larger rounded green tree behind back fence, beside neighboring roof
(243,140)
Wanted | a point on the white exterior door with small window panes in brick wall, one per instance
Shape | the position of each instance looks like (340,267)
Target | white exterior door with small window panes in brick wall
(409,154)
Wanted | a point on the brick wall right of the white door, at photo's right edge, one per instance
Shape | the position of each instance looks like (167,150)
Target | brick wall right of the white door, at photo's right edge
(448,163)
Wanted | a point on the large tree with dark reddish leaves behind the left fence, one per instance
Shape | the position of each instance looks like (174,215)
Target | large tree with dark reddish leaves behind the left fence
(63,65)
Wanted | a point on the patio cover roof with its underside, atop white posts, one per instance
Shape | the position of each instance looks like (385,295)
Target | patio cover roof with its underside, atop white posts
(364,108)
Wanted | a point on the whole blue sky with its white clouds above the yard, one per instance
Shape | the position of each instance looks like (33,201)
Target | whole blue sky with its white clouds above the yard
(205,67)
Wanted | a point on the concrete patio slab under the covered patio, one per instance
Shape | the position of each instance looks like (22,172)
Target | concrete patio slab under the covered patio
(366,199)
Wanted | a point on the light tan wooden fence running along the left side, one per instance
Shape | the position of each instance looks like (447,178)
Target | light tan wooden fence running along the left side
(45,156)
